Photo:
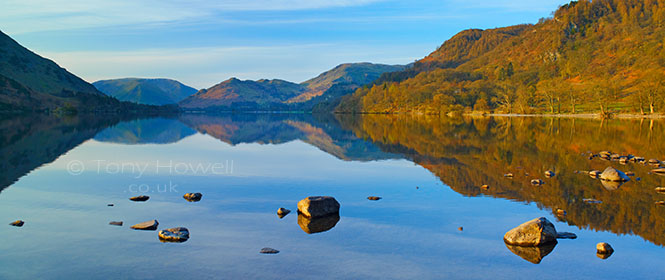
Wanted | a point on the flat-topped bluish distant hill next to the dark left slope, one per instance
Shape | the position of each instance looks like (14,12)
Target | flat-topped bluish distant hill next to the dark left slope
(145,91)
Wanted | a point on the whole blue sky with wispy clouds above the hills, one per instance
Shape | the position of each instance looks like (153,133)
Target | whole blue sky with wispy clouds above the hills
(202,43)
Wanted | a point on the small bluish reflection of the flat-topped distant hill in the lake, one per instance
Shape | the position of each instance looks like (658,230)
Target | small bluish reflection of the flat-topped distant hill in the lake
(146,131)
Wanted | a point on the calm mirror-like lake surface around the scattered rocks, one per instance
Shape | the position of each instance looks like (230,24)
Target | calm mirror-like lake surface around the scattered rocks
(59,173)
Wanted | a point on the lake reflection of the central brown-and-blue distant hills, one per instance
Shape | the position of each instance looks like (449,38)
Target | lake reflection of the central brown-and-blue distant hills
(319,131)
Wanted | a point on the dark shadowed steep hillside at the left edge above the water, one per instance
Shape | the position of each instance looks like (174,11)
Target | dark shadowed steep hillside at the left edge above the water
(29,82)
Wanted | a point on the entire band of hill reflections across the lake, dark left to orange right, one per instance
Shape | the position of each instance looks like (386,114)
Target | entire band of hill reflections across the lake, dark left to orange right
(464,153)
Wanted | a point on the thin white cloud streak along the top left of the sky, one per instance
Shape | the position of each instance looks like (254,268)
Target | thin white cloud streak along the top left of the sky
(22,16)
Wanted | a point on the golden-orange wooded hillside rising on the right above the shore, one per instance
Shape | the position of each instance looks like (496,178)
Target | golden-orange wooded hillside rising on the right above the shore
(600,56)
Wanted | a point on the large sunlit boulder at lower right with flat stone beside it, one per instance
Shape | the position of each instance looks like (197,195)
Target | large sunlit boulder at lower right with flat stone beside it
(536,232)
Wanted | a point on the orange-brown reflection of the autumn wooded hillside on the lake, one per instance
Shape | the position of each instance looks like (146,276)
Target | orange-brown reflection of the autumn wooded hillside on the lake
(467,153)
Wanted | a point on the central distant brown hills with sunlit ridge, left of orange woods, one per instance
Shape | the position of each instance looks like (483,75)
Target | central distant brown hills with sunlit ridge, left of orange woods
(234,94)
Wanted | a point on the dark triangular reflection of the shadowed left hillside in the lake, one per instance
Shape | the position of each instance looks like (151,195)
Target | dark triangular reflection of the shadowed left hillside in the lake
(27,142)
